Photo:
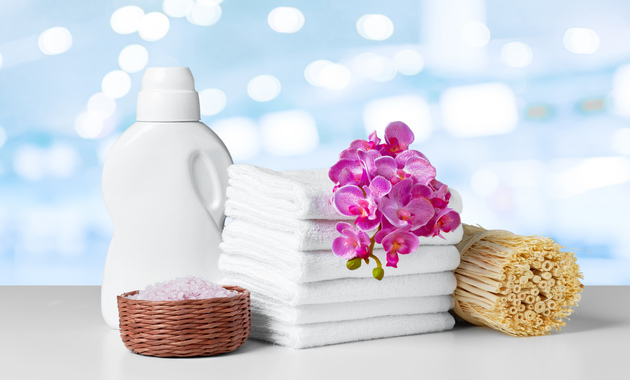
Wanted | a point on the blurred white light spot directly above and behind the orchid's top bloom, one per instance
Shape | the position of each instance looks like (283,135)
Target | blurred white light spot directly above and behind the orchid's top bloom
(413,110)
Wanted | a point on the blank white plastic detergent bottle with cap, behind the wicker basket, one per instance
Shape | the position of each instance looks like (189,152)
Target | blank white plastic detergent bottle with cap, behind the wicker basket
(164,185)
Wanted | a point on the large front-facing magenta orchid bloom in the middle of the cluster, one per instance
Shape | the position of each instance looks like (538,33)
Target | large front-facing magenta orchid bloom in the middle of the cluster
(402,211)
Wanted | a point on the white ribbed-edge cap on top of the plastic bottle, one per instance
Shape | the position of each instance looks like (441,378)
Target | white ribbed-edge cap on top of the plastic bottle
(168,94)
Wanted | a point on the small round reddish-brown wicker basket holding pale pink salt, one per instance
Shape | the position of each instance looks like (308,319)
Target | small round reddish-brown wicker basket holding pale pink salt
(185,328)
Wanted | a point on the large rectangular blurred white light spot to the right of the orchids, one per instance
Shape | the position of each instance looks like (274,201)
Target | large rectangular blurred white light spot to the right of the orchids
(479,110)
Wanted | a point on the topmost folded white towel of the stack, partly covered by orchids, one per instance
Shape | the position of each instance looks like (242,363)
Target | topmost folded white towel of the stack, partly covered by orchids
(277,199)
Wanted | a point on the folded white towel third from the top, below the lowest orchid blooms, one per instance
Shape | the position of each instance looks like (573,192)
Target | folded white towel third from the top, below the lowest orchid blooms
(310,266)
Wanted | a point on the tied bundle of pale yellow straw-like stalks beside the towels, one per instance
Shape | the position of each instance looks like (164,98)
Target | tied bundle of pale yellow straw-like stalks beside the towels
(519,285)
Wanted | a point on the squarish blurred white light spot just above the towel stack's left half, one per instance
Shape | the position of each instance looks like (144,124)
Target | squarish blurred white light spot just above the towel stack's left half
(289,133)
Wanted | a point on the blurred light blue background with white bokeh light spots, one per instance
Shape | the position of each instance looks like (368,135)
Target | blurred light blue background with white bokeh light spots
(535,135)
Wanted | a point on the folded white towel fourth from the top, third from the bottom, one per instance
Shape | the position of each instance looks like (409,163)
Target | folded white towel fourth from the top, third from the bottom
(342,290)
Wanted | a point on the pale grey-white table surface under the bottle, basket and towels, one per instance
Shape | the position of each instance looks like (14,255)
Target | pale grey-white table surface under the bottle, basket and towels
(57,333)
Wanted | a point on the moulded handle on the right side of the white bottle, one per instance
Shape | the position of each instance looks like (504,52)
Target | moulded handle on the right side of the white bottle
(210,180)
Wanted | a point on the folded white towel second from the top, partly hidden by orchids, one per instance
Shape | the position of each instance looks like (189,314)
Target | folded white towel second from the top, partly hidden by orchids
(311,235)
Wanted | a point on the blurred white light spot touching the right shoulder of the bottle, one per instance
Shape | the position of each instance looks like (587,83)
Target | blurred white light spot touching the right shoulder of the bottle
(240,135)
